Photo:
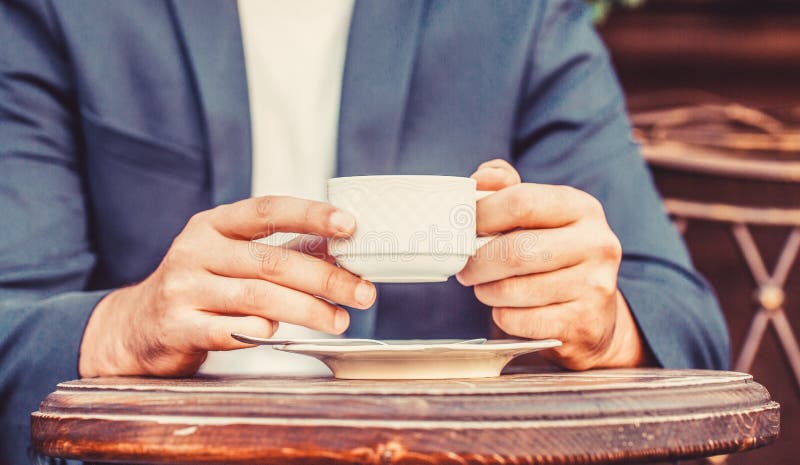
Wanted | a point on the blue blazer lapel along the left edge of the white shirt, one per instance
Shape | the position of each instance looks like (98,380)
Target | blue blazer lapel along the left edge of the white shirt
(212,43)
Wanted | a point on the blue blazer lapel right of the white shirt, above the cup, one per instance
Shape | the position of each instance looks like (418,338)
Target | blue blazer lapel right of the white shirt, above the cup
(375,85)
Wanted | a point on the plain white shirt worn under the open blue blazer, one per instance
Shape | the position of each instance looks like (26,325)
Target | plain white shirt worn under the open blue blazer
(294,54)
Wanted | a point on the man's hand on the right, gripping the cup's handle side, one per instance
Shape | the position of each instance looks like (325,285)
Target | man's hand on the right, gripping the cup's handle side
(553,273)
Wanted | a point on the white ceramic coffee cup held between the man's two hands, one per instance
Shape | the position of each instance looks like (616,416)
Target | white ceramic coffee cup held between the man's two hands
(409,229)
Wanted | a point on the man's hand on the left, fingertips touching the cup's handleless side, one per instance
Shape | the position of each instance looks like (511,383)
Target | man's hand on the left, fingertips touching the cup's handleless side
(214,280)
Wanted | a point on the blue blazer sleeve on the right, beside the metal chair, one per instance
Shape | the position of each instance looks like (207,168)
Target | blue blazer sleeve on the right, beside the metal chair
(572,129)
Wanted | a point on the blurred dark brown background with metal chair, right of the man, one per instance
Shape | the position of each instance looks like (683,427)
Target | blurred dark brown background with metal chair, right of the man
(713,89)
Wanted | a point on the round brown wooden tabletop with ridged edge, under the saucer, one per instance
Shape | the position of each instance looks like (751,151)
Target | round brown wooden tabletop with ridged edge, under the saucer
(607,416)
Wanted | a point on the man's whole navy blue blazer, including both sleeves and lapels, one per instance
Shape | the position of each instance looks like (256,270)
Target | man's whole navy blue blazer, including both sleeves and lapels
(119,120)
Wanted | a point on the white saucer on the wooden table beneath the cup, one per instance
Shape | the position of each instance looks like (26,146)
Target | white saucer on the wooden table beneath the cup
(421,359)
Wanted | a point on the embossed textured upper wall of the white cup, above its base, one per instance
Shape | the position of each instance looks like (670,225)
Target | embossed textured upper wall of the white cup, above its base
(406,215)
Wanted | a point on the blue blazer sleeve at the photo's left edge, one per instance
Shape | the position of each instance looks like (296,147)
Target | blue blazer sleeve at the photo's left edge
(46,255)
